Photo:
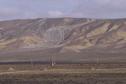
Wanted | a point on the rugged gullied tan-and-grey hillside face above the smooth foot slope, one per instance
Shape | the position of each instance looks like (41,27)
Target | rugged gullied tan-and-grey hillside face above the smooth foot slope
(70,34)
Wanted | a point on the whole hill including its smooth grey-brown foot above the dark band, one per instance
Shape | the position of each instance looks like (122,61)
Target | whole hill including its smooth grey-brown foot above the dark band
(63,37)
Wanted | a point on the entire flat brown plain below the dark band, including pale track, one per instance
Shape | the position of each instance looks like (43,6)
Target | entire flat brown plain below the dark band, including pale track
(62,74)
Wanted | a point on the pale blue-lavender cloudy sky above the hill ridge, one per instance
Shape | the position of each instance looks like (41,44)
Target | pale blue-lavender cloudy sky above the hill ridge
(24,9)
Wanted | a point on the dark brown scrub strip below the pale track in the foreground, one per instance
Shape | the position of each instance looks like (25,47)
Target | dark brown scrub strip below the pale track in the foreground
(63,79)
